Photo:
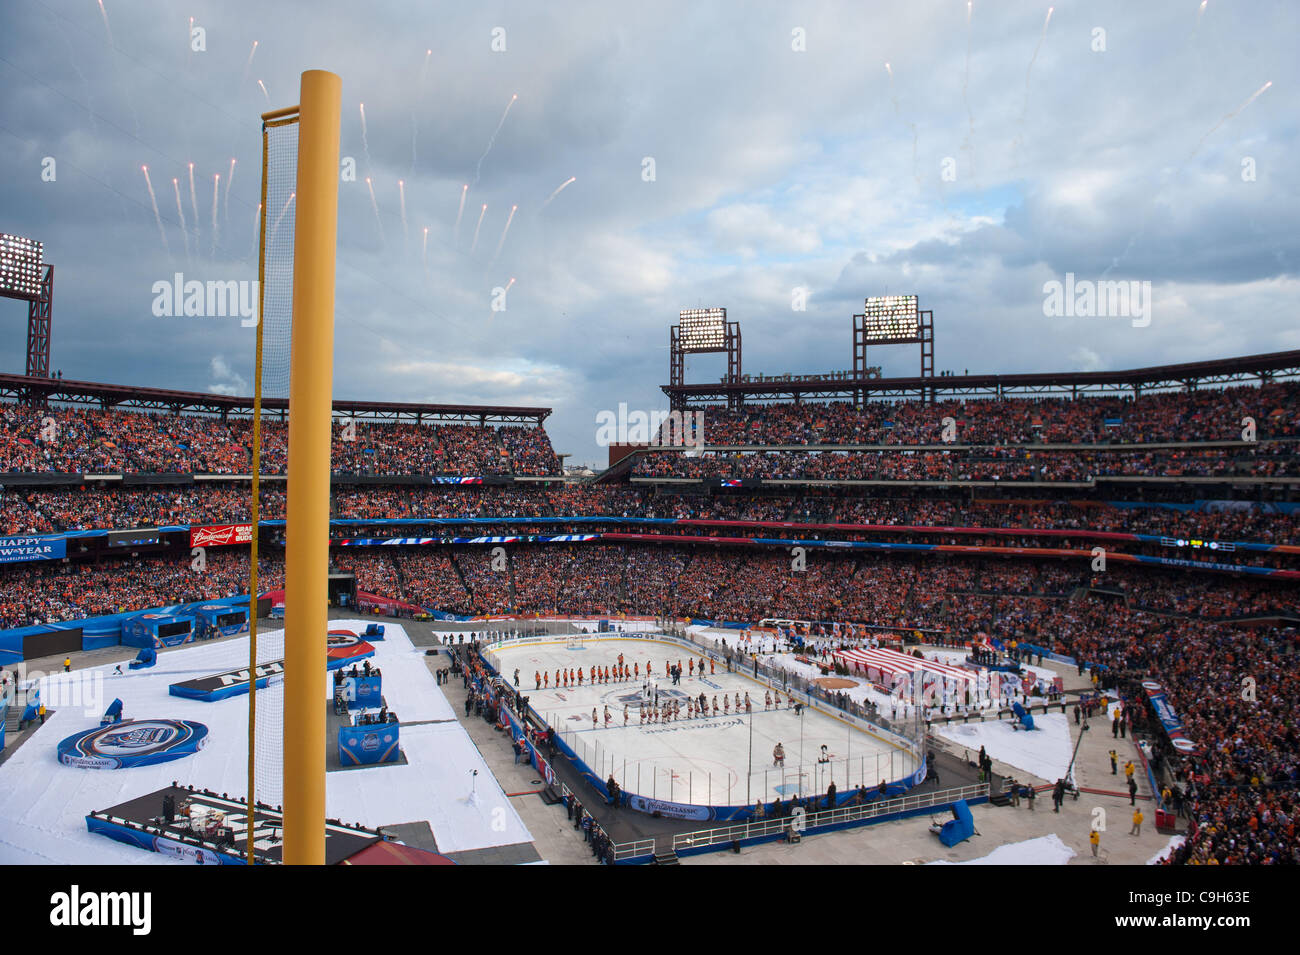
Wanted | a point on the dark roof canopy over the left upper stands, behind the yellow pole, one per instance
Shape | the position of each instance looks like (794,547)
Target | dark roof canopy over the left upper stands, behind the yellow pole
(45,390)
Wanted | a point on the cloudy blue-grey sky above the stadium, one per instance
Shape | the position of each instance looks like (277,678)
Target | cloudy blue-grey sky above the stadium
(725,155)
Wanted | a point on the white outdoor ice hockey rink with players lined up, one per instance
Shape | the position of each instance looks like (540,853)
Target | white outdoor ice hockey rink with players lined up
(723,761)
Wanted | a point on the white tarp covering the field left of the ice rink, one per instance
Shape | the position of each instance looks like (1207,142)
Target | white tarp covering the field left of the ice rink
(44,804)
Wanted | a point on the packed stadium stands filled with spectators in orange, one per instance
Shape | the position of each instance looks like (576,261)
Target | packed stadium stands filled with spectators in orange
(993,531)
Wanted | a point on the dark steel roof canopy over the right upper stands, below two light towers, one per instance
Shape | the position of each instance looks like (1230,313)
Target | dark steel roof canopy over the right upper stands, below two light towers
(1193,375)
